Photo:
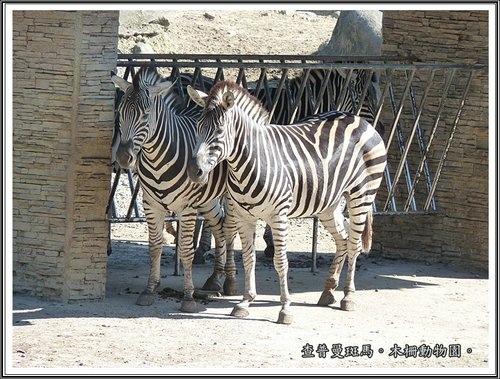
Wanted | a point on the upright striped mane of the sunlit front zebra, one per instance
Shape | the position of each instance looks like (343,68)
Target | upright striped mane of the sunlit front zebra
(242,97)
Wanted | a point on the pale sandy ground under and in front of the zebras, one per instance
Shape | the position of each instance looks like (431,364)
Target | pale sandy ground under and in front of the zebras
(400,304)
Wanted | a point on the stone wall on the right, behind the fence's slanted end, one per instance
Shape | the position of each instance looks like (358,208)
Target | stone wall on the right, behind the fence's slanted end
(459,232)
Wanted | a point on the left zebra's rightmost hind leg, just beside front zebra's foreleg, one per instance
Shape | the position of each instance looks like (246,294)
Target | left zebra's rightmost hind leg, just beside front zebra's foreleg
(230,232)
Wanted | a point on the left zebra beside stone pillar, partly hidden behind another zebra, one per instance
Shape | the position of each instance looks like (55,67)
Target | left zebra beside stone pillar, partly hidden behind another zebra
(157,136)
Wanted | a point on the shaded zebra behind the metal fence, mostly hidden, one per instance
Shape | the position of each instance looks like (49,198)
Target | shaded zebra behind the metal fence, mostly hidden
(323,91)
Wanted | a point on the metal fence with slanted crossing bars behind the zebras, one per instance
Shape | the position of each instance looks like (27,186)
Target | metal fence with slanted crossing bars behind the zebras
(420,105)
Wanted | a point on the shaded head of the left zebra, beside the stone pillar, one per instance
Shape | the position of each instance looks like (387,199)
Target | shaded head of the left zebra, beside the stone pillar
(135,111)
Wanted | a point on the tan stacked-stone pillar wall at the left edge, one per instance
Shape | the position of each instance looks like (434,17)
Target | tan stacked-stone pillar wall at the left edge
(63,120)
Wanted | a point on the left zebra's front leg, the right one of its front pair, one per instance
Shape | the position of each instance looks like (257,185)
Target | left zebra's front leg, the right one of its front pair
(187,223)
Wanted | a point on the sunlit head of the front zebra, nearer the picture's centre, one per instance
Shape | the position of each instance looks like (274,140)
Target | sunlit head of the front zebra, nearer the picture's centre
(214,136)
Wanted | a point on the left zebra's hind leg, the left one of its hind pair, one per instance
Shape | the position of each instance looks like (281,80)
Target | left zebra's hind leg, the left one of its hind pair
(214,217)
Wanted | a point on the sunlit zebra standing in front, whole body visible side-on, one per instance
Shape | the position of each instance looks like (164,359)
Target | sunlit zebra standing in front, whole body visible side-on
(282,171)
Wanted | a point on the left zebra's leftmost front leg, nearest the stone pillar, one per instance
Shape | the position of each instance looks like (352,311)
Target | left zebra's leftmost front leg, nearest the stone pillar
(155,219)
